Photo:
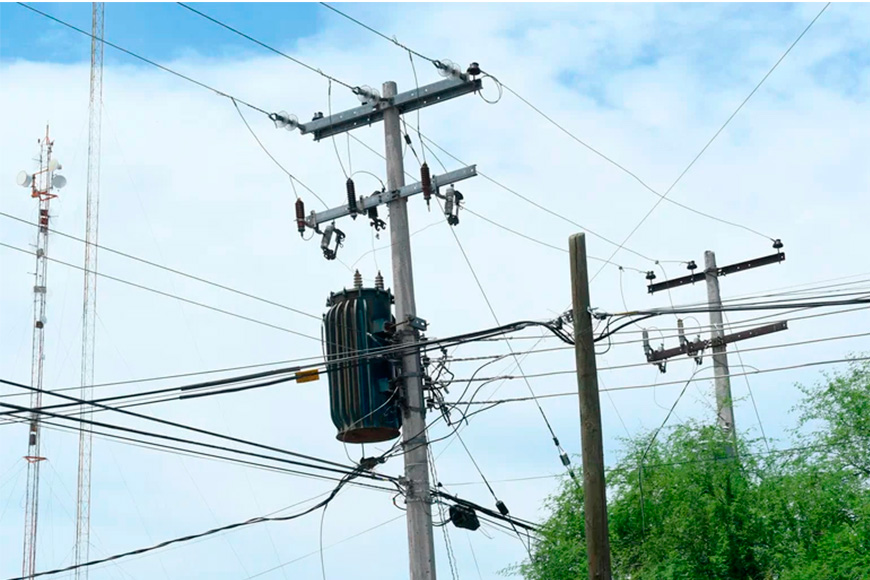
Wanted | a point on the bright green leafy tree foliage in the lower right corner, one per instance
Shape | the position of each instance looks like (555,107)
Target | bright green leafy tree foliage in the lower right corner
(685,507)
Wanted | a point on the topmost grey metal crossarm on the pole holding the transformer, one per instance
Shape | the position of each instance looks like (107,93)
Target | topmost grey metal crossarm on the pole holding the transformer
(369,114)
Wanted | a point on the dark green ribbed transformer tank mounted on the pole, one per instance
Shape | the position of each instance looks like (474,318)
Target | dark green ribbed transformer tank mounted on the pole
(361,398)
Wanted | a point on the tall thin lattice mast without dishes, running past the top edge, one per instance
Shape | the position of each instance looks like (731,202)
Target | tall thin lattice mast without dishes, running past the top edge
(89,308)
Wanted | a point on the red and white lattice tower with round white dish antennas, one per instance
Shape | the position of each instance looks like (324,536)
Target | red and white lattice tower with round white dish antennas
(42,185)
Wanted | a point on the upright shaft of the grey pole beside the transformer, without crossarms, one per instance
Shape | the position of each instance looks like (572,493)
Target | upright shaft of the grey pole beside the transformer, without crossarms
(421,544)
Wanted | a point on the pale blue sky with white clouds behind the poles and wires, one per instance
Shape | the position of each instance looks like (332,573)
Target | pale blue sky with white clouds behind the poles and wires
(185,184)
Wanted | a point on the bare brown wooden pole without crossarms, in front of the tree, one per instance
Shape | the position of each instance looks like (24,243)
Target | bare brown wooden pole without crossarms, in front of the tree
(594,489)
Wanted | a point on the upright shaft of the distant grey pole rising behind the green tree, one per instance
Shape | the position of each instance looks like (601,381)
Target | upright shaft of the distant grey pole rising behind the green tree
(724,406)
